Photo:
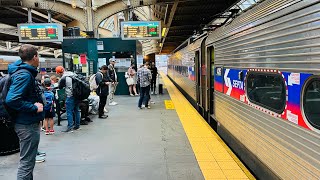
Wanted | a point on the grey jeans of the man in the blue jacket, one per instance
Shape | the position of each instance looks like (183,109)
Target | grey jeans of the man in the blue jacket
(29,137)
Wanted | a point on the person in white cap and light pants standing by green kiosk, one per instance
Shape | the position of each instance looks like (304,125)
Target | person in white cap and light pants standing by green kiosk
(113,85)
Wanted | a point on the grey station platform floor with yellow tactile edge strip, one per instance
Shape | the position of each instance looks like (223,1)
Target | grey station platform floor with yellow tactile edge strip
(169,141)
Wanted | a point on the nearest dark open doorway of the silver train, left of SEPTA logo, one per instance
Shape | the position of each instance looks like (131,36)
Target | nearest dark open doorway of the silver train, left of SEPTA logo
(210,74)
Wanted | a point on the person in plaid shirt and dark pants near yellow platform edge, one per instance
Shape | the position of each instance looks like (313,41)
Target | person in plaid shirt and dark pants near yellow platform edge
(144,79)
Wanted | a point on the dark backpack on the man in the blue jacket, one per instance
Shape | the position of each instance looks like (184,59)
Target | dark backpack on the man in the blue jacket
(7,113)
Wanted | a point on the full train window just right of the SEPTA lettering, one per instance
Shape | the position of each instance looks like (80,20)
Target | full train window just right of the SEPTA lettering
(267,90)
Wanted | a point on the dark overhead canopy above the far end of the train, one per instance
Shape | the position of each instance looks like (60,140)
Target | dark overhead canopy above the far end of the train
(185,17)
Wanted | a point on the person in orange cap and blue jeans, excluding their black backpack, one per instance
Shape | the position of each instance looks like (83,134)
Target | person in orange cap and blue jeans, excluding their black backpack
(72,105)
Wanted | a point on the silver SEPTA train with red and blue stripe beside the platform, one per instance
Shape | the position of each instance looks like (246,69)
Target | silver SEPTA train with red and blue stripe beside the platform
(256,80)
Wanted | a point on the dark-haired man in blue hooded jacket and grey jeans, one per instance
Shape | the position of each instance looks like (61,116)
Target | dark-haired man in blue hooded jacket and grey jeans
(24,97)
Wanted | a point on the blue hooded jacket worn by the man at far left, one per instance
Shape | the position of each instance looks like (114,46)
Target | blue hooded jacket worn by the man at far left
(23,94)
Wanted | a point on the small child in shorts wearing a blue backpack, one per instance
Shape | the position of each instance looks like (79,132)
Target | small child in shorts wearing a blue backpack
(48,108)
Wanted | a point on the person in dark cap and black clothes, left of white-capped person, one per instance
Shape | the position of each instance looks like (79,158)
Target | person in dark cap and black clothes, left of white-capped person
(102,80)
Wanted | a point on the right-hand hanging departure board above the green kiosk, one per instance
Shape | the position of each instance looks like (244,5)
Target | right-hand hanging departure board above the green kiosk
(133,30)
